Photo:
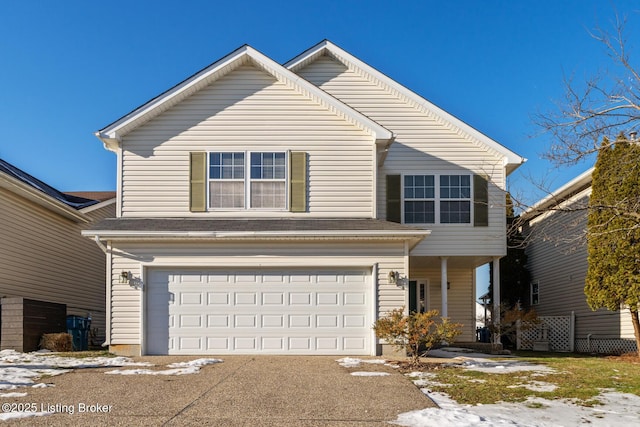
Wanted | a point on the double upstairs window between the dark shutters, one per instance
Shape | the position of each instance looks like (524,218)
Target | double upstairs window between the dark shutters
(450,201)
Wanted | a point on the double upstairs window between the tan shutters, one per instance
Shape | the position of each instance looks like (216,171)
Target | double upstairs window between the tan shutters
(262,185)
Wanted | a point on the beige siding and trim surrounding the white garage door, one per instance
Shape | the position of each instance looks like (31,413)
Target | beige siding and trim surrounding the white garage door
(127,299)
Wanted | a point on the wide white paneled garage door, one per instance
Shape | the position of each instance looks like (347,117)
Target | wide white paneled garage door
(271,312)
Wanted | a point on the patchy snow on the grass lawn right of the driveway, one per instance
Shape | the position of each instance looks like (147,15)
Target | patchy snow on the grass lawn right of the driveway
(617,409)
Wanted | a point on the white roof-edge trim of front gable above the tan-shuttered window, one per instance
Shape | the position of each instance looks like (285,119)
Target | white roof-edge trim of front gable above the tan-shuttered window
(111,134)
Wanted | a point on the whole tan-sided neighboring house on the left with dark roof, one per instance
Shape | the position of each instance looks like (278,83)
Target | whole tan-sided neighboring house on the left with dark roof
(47,269)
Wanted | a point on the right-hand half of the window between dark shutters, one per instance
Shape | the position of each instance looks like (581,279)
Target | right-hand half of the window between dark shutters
(455,199)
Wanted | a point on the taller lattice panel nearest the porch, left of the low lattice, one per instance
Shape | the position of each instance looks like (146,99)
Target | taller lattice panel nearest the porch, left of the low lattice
(558,333)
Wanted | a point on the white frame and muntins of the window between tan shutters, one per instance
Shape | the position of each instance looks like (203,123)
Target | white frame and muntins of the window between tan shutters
(247,181)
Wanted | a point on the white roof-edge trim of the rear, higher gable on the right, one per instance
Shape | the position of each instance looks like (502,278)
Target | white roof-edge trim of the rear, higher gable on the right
(325,47)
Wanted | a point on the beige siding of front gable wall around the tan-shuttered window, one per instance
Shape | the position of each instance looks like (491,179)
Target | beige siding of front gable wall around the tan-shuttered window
(247,110)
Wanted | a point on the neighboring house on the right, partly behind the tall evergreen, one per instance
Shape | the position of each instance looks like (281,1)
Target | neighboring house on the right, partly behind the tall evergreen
(557,260)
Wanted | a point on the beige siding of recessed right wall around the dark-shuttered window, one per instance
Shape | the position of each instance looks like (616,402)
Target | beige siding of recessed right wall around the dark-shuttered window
(424,144)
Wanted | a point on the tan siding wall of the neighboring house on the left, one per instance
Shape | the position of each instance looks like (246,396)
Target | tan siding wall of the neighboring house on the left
(44,257)
